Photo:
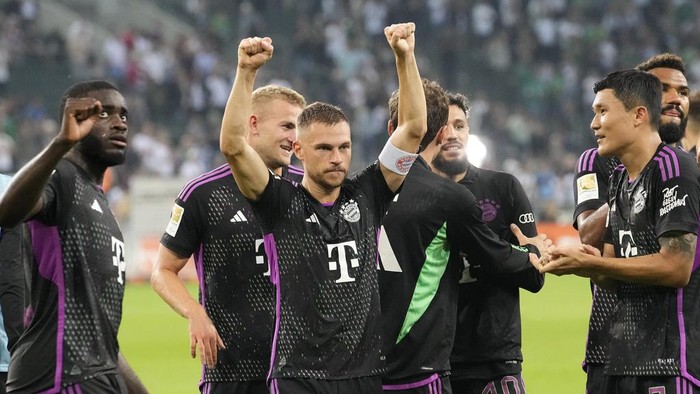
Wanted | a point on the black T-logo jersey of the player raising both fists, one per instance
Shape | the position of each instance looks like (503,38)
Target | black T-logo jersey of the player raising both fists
(324,259)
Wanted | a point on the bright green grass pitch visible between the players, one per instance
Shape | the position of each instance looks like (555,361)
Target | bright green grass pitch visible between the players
(154,339)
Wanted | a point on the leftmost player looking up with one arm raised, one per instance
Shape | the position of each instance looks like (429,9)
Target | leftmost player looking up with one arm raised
(76,278)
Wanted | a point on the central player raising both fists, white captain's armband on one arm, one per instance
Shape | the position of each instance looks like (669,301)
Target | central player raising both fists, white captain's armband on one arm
(321,235)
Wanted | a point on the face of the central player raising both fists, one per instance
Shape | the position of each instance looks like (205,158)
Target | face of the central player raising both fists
(326,151)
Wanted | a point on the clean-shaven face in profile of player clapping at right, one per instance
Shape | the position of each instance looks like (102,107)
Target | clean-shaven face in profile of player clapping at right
(612,125)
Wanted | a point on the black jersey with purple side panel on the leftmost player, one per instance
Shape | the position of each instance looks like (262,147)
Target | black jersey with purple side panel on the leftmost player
(76,284)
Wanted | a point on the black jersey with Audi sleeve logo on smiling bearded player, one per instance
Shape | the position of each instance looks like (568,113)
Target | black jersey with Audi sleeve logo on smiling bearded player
(488,340)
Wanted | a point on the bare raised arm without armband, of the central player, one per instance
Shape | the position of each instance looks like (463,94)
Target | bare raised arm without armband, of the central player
(248,168)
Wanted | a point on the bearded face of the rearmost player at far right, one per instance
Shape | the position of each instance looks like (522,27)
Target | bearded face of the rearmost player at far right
(675,103)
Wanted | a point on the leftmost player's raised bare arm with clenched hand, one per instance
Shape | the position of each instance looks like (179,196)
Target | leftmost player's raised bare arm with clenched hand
(22,199)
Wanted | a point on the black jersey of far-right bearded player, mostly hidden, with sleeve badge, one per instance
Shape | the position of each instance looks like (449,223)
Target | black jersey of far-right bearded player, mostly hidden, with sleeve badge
(591,184)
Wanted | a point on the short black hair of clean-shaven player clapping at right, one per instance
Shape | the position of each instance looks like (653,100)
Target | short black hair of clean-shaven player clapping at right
(635,88)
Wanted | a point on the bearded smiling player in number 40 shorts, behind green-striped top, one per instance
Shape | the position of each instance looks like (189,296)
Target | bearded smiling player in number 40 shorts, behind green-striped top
(487,354)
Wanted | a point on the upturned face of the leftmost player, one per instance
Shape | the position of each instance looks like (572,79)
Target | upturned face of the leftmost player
(106,143)
